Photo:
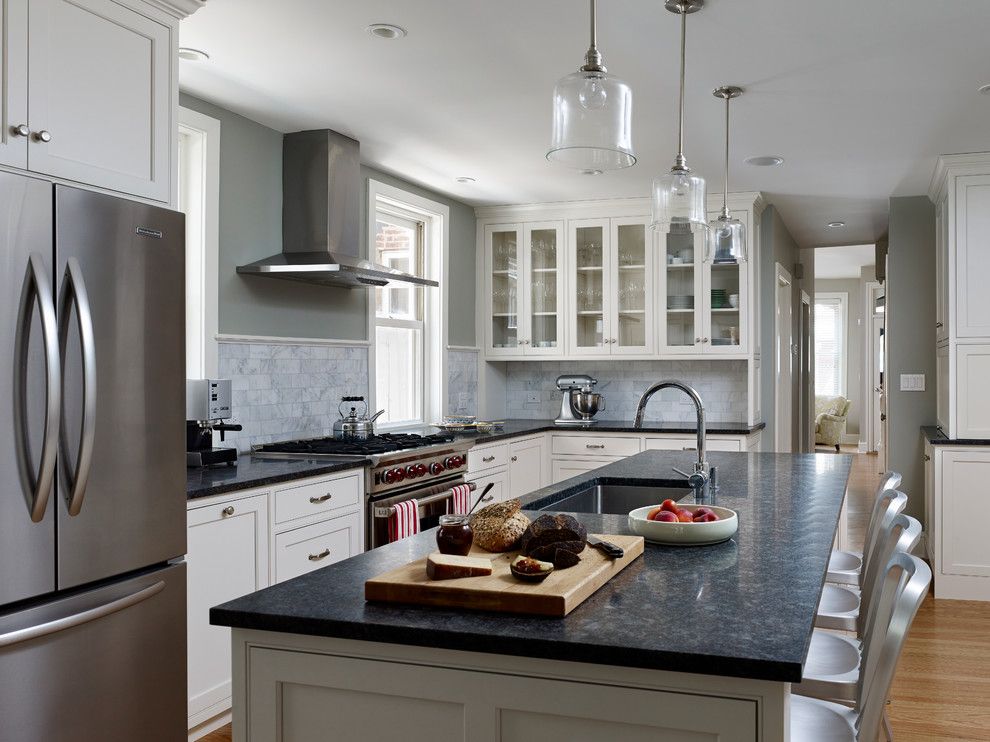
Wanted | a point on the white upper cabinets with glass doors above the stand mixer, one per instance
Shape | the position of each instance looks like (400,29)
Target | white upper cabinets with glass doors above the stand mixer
(614,287)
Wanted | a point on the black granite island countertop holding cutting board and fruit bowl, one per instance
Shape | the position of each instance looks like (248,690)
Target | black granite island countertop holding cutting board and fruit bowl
(743,608)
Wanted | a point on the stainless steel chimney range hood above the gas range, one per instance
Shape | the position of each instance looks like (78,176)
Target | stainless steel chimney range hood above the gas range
(321,191)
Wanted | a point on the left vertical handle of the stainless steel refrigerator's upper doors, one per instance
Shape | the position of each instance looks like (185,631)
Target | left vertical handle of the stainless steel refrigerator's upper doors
(37,488)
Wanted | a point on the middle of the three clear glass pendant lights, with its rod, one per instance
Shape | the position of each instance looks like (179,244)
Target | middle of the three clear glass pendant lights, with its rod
(679,198)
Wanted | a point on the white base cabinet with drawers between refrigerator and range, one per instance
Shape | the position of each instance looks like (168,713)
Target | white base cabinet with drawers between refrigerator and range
(245,541)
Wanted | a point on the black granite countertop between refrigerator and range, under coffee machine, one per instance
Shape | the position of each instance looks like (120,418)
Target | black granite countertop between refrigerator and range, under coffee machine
(257,472)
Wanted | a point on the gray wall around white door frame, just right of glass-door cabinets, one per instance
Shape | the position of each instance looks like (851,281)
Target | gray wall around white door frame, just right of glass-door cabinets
(778,246)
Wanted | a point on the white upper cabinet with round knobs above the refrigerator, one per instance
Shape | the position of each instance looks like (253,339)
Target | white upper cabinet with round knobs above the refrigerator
(90,92)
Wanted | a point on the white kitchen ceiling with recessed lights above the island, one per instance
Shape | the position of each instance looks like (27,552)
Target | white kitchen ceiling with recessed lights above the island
(859,97)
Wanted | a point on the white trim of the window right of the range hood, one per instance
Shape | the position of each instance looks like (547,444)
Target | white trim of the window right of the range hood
(434,300)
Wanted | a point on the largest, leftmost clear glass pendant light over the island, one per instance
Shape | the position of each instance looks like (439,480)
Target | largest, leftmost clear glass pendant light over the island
(592,116)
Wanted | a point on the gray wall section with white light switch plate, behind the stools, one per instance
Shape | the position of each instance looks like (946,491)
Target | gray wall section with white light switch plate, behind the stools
(910,306)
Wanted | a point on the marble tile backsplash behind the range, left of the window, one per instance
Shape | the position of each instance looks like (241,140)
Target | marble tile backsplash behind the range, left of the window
(282,391)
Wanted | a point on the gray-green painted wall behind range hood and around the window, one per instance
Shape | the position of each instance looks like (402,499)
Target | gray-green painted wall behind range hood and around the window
(251,229)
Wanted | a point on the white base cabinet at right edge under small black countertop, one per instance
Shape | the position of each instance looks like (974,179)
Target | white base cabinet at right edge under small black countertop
(957,509)
